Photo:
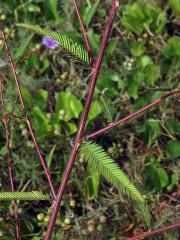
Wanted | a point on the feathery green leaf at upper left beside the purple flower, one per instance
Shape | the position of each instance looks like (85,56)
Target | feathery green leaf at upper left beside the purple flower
(73,48)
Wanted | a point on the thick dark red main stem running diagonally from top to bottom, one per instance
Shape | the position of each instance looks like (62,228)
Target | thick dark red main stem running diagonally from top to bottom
(82,124)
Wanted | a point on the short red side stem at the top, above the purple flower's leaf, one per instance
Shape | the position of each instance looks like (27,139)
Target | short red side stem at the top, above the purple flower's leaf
(84,33)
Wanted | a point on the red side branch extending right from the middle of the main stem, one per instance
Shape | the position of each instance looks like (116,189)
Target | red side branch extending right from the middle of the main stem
(129,117)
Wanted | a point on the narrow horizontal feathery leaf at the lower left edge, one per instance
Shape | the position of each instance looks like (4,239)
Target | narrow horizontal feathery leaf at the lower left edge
(34,195)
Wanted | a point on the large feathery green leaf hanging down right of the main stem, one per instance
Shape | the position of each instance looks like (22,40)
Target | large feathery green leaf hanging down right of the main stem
(99,159)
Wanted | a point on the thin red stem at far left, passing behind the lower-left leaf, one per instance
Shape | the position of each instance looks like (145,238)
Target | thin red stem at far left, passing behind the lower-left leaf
(18,237)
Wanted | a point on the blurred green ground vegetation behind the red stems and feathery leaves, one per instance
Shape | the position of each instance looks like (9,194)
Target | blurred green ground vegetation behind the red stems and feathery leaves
(143,55)
